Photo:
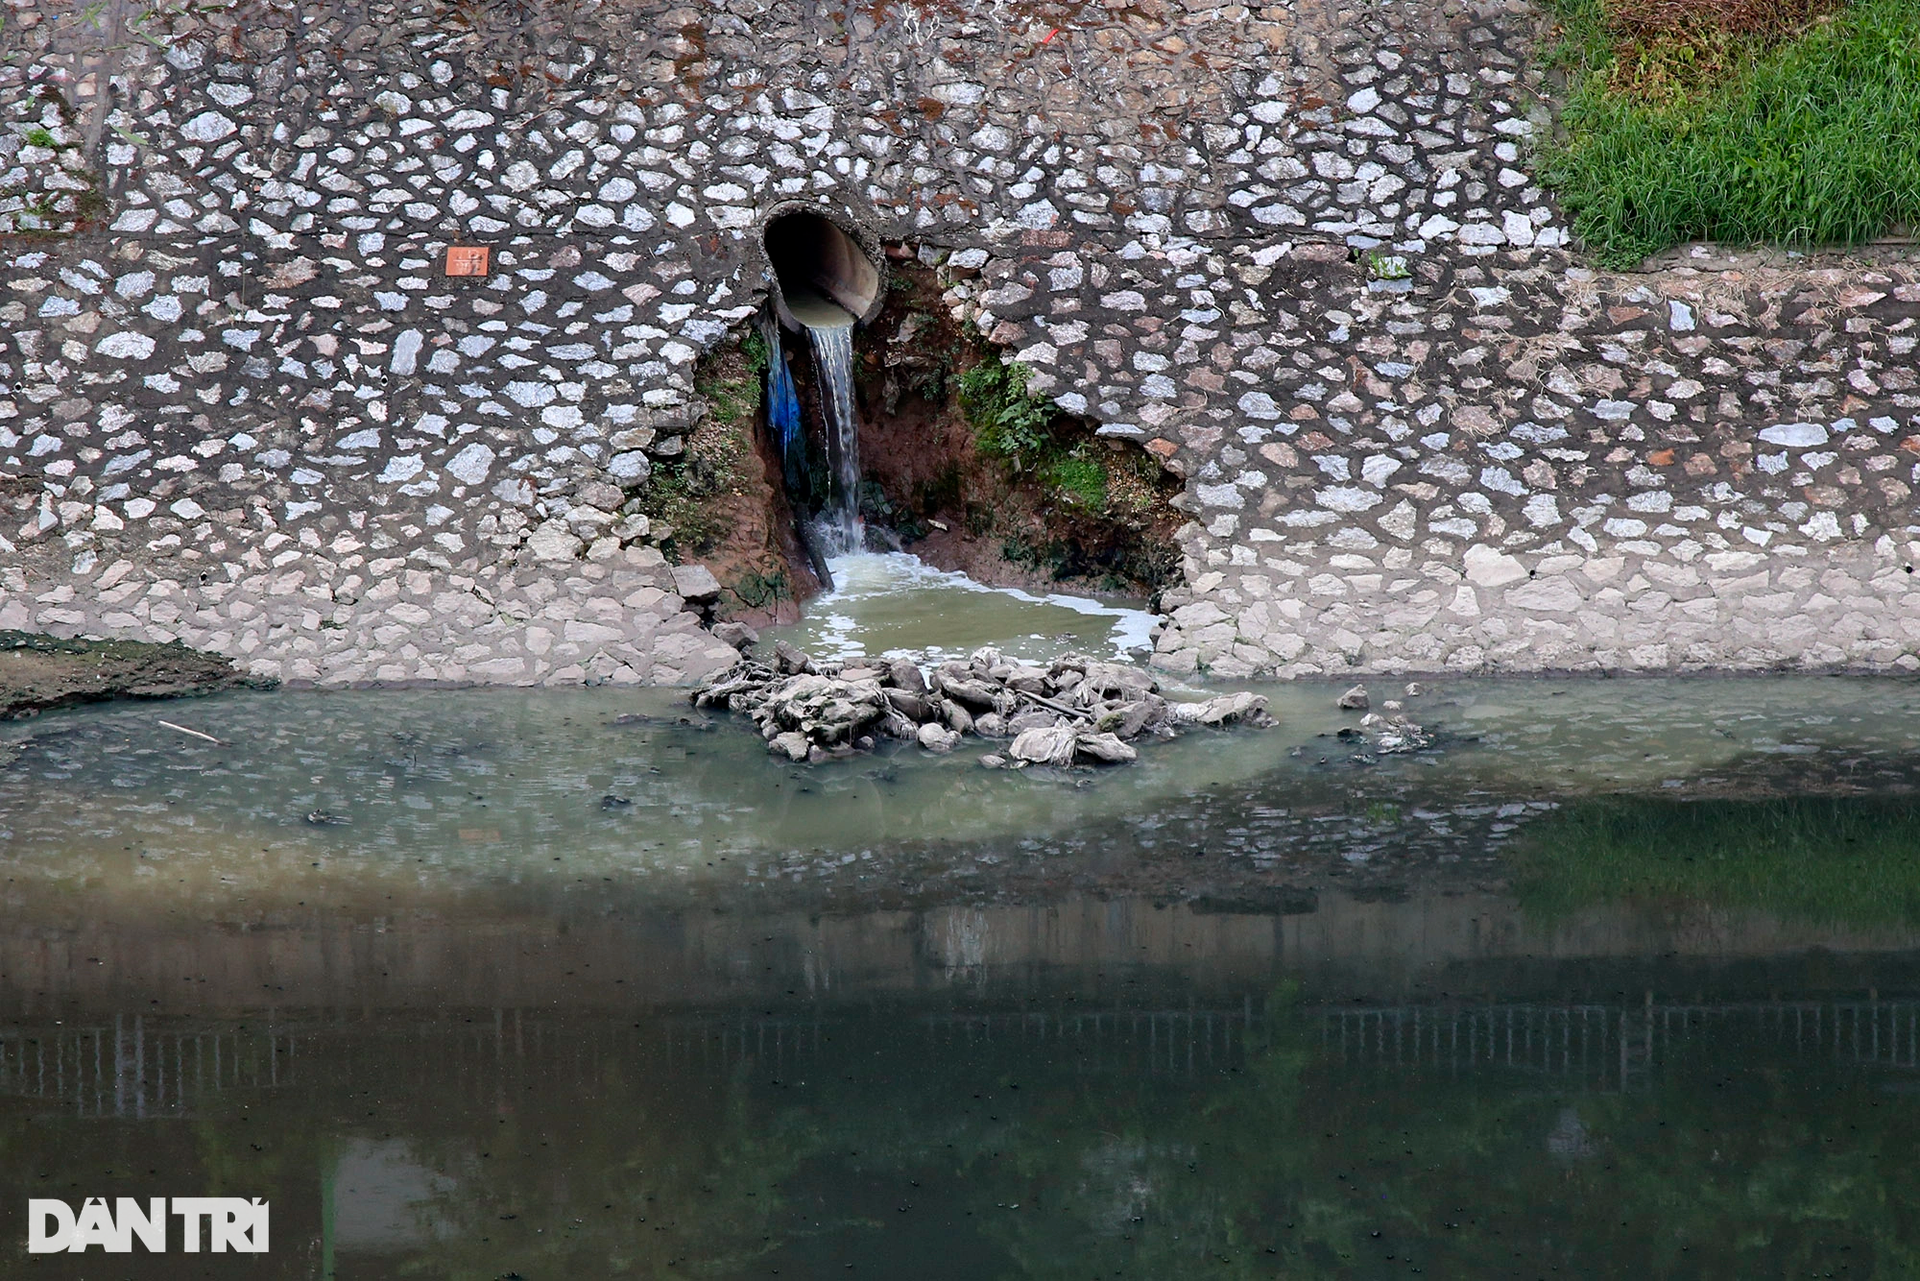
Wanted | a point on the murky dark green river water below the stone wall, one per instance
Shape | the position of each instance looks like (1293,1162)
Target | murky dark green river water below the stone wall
(1621,980)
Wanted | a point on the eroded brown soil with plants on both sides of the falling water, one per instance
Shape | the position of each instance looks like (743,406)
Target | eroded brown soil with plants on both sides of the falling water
(959,464)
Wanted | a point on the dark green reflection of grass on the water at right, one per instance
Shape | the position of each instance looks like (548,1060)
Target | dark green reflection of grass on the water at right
(1829,861)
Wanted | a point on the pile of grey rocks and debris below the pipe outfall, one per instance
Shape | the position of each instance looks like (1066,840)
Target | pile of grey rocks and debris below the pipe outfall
(1072,712)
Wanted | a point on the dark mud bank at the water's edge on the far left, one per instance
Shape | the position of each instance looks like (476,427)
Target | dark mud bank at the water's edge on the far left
(39,673)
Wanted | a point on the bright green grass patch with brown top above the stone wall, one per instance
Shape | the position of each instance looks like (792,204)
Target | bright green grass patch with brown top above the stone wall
(1785,122)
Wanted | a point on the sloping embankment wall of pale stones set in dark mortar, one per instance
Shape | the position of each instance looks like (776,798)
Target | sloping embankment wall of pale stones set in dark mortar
(1293,251)
